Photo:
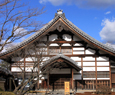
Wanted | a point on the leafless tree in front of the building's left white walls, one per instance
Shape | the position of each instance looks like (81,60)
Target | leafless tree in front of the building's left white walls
(36,54)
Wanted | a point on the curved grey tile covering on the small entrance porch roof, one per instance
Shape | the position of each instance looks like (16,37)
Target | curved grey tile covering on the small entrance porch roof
(63,57)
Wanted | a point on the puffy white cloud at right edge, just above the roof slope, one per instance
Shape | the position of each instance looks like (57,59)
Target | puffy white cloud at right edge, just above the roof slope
(108,31)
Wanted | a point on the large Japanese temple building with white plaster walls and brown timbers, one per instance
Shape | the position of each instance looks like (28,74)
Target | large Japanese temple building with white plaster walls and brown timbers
(68,53)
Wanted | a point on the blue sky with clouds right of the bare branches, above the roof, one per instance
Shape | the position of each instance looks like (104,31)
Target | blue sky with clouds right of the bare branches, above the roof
(95,17)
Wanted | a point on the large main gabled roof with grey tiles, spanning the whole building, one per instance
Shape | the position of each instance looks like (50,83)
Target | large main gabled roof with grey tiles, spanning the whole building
(71,26)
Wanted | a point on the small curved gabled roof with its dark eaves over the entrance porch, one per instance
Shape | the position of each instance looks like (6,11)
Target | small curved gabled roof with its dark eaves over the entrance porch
(50,61)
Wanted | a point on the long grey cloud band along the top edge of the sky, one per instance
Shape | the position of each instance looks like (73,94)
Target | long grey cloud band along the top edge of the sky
(83,3)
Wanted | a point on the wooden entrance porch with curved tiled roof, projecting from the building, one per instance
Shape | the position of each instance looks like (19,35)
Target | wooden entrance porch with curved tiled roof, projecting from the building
(58,70)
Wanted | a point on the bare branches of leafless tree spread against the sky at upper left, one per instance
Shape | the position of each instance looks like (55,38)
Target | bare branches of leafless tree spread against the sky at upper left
(16,21)
